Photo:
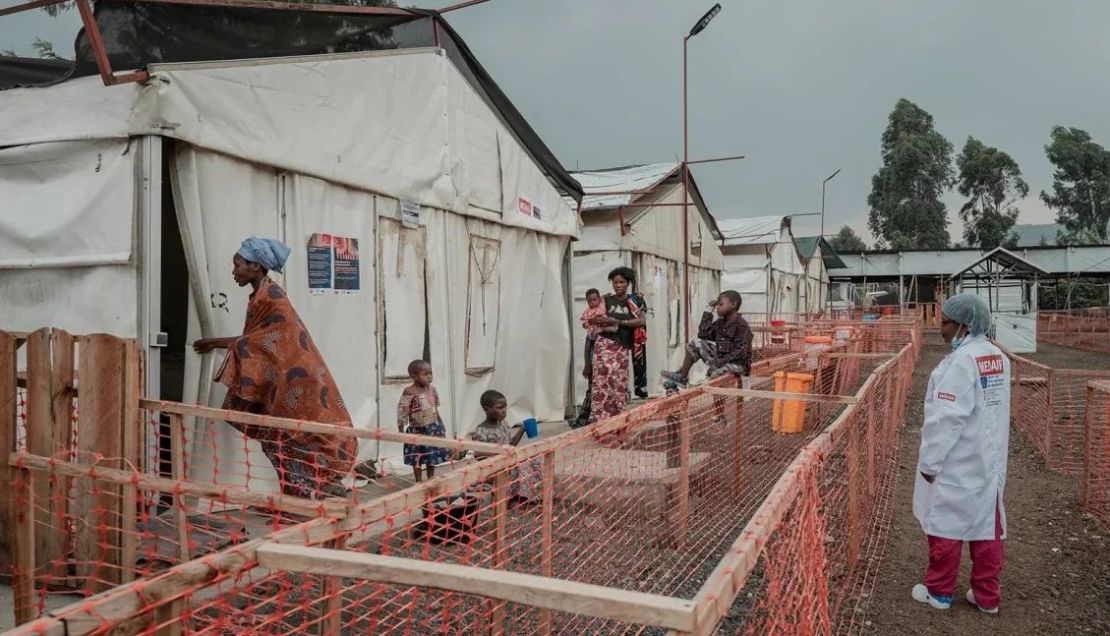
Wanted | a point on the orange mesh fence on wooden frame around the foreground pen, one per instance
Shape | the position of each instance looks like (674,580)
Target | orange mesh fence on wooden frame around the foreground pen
(651,502)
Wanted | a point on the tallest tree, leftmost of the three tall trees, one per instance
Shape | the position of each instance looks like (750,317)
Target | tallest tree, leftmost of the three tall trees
(917,170)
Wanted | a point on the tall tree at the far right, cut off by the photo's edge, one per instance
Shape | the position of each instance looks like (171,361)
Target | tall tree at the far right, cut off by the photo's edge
(1081,186)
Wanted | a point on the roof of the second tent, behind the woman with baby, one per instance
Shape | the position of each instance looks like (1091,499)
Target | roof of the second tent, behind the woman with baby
(632,183)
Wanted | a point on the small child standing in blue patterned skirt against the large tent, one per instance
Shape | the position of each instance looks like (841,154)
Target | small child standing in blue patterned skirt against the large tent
(419,415)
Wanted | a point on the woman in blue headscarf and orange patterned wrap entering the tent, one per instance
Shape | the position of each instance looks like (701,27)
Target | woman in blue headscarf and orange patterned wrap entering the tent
(275,369)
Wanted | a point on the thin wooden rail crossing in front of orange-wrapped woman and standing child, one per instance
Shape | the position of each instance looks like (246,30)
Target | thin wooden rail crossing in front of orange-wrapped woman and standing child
(306,427)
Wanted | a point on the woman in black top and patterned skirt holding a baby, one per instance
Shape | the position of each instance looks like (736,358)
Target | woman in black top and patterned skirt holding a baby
(612,351)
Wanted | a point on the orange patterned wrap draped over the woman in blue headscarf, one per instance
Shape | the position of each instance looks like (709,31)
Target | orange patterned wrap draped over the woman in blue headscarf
(277,370)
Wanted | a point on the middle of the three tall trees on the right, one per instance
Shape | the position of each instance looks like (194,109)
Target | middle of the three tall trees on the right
(992,181)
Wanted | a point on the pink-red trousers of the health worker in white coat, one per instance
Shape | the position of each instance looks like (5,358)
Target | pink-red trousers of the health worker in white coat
(987,560)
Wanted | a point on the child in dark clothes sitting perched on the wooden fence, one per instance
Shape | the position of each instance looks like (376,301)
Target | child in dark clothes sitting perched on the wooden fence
(723,345)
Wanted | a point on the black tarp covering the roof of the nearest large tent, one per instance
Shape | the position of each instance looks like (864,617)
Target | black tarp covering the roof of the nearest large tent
(137,35)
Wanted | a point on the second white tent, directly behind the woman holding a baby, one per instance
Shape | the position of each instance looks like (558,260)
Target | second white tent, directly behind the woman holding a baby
(648,200)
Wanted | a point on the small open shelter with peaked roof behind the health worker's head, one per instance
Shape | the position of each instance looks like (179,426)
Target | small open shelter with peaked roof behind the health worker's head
(1008,284)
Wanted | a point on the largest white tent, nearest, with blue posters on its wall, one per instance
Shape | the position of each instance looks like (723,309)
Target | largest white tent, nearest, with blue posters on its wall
(109,194)
